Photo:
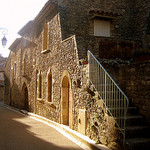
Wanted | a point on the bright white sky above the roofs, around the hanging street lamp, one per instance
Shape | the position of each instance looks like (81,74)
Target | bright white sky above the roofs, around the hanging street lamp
(14,14)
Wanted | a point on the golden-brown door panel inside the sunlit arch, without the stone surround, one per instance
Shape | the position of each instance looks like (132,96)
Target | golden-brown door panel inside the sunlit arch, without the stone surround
(65,101)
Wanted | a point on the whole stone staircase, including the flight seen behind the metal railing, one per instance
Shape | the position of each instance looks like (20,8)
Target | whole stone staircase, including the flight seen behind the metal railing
(137,131)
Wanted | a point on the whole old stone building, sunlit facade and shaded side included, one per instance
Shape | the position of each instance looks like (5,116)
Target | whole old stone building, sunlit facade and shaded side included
(45,72)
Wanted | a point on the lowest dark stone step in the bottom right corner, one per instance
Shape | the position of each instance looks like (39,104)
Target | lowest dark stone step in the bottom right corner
(138,144)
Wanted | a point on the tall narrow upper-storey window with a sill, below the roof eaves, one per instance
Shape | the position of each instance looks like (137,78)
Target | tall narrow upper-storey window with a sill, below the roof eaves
(45,36)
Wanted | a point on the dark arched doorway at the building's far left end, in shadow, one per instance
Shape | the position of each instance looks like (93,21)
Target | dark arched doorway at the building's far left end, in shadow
(25,97)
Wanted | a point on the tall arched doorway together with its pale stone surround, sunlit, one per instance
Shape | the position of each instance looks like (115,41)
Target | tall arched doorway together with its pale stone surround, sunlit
(66,100)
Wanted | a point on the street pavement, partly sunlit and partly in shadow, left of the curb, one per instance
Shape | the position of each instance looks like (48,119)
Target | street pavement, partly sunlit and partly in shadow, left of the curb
(18,132)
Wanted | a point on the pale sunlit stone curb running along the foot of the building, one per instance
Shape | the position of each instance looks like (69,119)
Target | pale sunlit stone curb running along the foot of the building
(83,141)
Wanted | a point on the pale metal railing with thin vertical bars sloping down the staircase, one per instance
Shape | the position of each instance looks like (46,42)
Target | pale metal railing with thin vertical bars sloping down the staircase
(115,101)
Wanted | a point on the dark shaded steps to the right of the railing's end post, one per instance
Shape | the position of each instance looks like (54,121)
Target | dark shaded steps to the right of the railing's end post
(137,131)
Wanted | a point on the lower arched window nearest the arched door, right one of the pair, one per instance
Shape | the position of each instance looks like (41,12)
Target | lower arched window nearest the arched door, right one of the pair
(50,87)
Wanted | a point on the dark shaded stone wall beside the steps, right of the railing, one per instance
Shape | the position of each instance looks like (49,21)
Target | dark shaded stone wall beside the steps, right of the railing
(137,86)
